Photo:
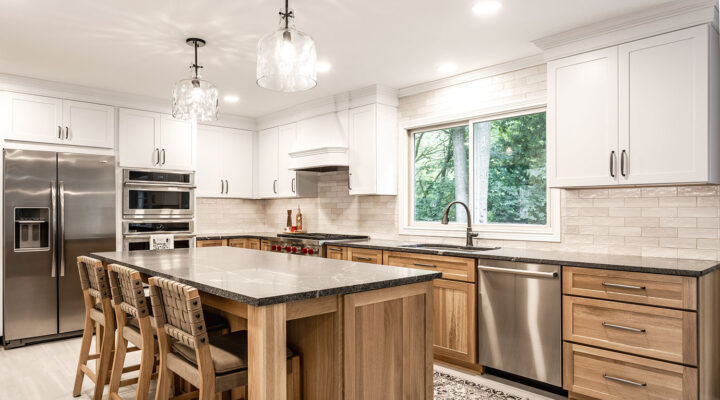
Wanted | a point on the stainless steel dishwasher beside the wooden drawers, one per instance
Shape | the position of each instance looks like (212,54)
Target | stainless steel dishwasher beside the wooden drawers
(520,319)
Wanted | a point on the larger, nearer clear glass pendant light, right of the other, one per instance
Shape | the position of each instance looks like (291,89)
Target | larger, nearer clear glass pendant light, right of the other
(286,57)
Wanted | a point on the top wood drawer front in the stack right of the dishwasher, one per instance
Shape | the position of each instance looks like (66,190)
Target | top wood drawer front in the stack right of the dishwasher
(652,289)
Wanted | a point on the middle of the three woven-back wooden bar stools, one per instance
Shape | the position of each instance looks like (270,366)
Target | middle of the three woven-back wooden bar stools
(134,325)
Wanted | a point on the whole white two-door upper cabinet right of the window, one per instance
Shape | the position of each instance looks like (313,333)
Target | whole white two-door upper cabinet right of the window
(635,114)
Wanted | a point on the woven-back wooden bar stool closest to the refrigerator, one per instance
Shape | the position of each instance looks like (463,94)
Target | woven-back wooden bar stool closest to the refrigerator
(98,312)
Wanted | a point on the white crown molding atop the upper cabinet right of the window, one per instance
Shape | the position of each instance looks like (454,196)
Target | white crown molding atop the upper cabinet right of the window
(651,21)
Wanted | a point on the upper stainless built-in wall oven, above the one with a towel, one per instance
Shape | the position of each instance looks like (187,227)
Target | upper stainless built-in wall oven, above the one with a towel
(158,194)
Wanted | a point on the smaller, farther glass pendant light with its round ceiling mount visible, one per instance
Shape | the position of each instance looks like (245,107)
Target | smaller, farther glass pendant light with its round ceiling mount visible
(195,98)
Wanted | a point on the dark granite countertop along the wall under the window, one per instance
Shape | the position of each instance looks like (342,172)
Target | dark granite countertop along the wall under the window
(655,265)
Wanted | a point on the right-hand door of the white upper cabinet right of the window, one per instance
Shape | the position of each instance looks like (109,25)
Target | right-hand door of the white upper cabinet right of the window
(664,107)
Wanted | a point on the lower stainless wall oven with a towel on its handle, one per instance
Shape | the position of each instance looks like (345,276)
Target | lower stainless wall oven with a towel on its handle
(137,233)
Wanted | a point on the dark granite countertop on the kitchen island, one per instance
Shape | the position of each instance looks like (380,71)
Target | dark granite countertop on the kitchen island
(262,278)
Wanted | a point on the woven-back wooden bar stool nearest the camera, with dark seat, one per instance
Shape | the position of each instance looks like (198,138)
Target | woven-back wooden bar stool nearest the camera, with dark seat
(212,364)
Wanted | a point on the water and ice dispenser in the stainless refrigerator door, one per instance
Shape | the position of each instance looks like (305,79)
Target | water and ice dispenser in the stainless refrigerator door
(32,228)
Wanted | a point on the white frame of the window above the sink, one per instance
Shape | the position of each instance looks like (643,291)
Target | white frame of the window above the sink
(547,233)
